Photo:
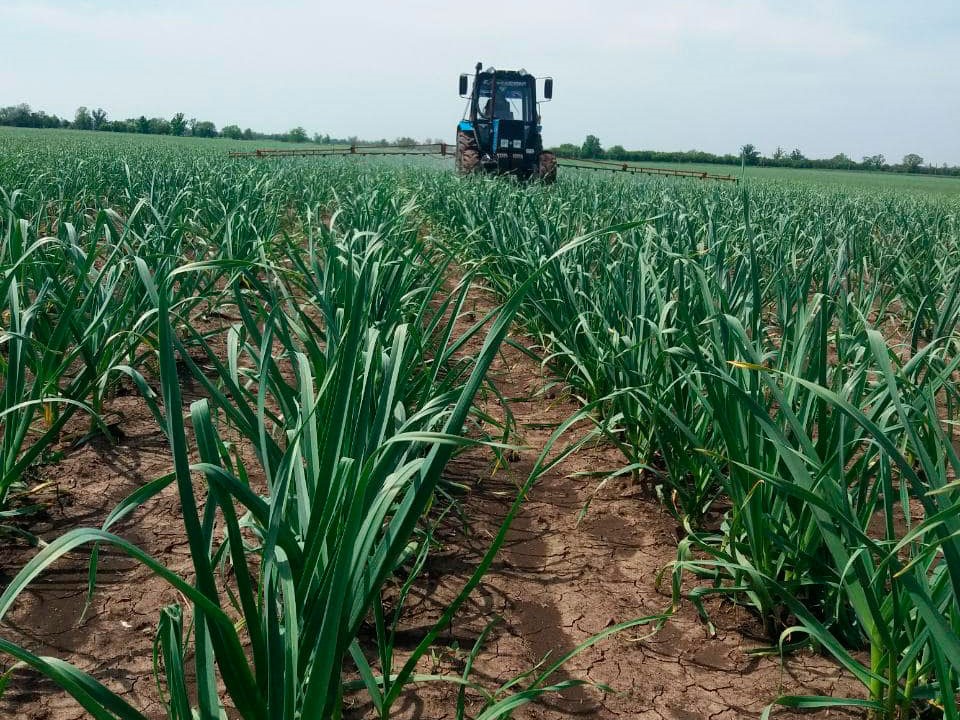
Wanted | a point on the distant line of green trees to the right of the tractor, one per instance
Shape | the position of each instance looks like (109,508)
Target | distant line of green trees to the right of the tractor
(591,149)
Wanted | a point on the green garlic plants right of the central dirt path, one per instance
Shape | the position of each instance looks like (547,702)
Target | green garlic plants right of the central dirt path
(779,364)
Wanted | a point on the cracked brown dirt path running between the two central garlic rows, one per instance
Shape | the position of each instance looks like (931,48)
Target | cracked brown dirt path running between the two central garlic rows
(558,581)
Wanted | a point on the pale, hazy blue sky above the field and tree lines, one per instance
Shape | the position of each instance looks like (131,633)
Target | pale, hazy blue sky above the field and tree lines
(860,77)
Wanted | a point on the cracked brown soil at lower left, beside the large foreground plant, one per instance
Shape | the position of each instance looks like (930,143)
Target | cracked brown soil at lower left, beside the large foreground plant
(114,639)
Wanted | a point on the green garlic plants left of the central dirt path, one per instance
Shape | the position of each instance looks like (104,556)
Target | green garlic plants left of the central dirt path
(316,318)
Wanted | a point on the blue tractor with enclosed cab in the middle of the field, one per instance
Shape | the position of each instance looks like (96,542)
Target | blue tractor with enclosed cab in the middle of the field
(500,131)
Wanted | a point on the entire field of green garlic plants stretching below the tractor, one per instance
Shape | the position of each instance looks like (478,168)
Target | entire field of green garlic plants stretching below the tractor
(774,365)
